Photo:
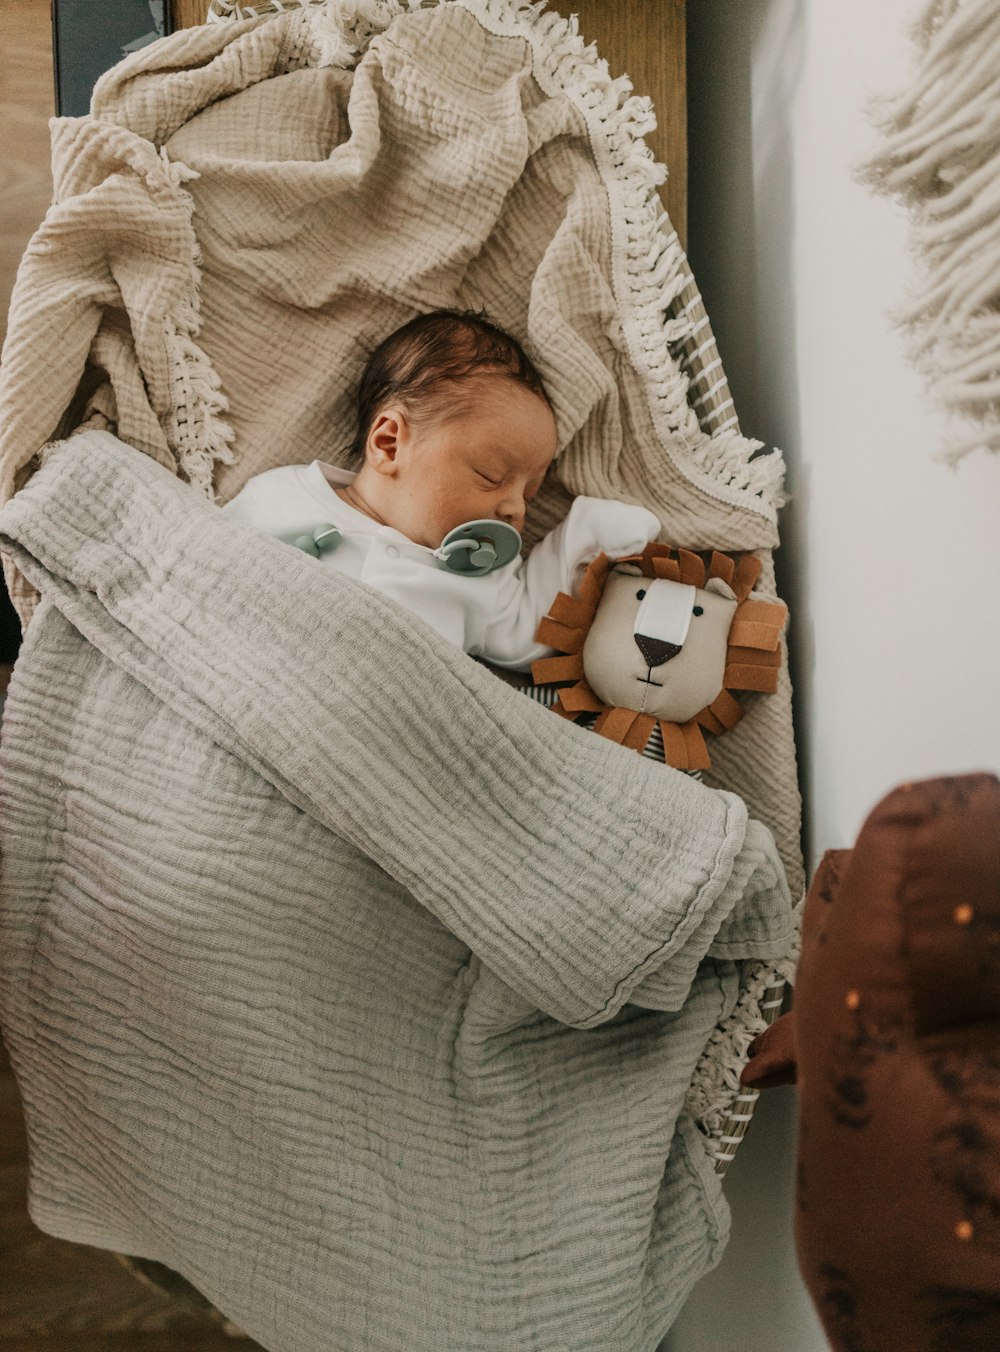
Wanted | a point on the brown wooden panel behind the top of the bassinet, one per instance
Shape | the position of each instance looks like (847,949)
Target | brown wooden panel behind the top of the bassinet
(640,39)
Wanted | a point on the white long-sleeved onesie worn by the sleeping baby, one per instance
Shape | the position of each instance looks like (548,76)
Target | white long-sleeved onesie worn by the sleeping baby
(493,616)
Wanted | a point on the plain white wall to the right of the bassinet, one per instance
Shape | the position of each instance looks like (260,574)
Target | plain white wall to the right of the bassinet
(890,559)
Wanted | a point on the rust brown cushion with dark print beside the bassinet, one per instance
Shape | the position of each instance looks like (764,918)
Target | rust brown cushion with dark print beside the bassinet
(898,1035)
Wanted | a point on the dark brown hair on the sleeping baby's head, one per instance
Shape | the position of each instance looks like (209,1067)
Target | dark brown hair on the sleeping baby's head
(422,363)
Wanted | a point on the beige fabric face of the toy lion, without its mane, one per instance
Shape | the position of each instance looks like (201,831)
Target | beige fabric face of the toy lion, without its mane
(659,647)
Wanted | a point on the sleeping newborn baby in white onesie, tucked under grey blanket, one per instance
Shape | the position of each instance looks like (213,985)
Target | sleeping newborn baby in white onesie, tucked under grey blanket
(453,428)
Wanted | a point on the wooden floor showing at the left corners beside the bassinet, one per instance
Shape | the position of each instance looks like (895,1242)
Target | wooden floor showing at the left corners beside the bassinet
(59,1297)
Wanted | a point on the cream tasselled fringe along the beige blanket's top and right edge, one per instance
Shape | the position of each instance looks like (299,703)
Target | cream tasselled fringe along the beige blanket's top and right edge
(664,321)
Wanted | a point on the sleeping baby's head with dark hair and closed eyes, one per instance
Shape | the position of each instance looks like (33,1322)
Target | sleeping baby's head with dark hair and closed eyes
(453,425)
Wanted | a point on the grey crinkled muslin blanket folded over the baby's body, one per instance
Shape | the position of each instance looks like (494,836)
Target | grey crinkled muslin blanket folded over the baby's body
(340,977)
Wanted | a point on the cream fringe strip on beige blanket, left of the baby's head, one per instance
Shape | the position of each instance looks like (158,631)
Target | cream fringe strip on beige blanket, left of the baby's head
(195,427)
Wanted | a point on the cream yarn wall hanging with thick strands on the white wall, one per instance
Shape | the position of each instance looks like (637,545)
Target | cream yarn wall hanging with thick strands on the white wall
(940,156)
